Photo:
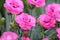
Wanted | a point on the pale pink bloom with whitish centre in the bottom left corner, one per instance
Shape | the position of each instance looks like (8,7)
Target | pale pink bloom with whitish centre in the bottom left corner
(9,36)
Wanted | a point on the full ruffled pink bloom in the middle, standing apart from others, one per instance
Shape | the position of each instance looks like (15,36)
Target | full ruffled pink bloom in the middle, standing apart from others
(25,21)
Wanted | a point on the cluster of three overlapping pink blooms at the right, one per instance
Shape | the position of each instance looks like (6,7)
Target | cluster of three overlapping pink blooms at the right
(52,15)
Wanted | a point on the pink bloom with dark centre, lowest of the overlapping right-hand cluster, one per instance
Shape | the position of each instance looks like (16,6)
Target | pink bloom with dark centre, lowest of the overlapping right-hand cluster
(46,21)
